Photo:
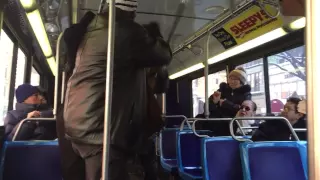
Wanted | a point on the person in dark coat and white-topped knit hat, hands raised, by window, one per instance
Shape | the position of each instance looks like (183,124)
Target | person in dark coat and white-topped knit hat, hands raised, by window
(226,102)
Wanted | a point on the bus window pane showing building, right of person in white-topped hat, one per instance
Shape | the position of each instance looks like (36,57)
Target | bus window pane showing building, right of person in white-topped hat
(255,79)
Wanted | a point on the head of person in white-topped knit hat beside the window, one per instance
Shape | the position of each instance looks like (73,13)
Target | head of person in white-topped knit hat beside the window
(237,78)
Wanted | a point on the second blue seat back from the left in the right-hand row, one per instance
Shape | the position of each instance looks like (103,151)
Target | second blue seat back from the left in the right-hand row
(189,150)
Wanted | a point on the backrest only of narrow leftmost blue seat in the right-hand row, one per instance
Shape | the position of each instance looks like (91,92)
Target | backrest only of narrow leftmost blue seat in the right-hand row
(168,143)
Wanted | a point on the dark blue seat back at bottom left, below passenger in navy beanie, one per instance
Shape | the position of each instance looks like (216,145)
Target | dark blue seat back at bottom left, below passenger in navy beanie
(36,160)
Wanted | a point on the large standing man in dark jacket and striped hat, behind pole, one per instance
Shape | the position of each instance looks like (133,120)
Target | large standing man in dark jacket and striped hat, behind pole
(135,49)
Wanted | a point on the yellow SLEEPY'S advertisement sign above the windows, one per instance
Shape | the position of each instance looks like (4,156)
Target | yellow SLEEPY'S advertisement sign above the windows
(249,24)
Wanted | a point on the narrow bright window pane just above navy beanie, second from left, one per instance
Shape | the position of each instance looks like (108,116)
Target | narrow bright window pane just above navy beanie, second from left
(20,72)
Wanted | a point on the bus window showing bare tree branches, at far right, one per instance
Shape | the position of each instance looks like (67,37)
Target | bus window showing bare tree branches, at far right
(287,77)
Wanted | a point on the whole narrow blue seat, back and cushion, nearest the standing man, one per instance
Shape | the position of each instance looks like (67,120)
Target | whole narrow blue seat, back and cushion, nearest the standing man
(168,156)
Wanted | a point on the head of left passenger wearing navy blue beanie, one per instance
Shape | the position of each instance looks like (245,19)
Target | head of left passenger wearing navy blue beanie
(28,94)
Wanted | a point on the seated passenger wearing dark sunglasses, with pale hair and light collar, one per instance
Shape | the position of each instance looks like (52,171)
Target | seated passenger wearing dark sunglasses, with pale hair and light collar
(247,109)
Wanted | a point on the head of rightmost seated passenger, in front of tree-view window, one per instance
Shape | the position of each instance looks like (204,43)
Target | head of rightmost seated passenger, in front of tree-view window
(294,109)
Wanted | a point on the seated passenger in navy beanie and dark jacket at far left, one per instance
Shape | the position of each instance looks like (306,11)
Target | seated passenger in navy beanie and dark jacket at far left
(28,106)
